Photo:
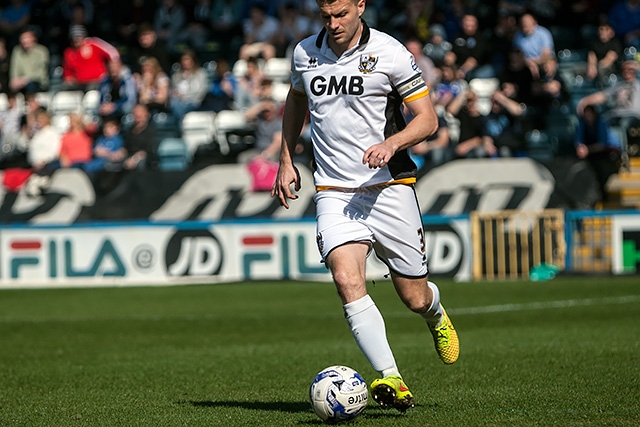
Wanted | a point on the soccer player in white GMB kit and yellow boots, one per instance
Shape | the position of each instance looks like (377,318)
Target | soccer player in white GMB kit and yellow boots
(353,80)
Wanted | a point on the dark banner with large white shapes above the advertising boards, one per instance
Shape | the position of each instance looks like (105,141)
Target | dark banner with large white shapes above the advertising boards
(222,192)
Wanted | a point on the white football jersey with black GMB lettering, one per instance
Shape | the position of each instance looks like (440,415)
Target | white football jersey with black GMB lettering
(355,101)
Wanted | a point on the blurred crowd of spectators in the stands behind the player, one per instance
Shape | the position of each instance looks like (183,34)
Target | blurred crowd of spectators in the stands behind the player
(545,62)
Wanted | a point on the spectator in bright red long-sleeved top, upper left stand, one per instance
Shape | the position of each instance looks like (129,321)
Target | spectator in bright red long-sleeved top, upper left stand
(85,61)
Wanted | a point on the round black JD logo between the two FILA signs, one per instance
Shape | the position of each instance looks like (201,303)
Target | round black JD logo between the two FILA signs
(193,253)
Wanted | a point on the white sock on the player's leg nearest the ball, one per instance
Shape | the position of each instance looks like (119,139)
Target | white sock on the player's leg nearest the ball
(368,329)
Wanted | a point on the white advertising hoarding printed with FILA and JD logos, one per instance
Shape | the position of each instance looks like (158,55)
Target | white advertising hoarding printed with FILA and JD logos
(189,253)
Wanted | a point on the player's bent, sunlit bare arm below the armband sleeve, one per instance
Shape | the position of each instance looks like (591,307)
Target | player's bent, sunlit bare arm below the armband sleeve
(423,125)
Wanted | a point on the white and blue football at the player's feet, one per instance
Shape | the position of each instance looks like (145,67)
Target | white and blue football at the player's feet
(338,393)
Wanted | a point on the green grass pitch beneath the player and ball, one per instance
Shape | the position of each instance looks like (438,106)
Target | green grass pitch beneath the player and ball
(560,353)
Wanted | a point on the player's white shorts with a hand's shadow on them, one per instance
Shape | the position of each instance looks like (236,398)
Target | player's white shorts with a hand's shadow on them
(386,216)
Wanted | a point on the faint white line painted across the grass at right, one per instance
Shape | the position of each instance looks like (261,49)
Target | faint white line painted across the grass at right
(545,305)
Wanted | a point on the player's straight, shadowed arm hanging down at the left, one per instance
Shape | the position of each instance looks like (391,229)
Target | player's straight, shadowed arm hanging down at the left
(295,112)
